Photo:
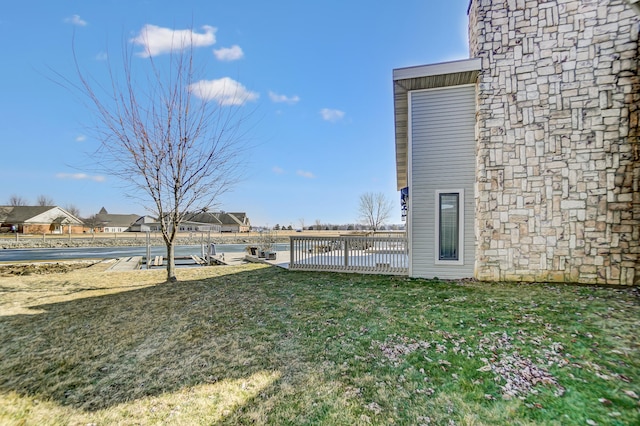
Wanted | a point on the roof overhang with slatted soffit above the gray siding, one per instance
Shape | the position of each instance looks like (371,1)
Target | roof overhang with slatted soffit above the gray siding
(431,76)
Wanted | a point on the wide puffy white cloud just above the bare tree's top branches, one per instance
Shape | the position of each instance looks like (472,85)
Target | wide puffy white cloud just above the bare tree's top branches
(157,40)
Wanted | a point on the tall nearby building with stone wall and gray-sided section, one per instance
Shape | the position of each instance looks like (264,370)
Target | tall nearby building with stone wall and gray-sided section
(522,163)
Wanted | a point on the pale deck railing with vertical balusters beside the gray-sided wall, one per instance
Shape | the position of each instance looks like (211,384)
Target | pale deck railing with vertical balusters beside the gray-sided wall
(365,255)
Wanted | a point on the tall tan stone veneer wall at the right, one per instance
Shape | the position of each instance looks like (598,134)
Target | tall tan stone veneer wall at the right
(558,164)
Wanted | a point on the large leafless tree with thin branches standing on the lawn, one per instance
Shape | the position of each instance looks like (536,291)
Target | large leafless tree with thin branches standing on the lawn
(174,146)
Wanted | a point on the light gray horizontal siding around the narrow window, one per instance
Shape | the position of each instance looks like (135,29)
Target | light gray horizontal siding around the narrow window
(442,143)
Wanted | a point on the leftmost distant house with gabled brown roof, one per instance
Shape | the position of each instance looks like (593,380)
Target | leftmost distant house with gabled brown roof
(39,220)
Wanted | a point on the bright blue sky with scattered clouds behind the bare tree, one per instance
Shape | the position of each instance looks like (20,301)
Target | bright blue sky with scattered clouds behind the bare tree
(318,75)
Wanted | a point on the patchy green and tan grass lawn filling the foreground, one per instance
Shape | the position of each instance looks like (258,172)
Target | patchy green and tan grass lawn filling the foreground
(255,344)
